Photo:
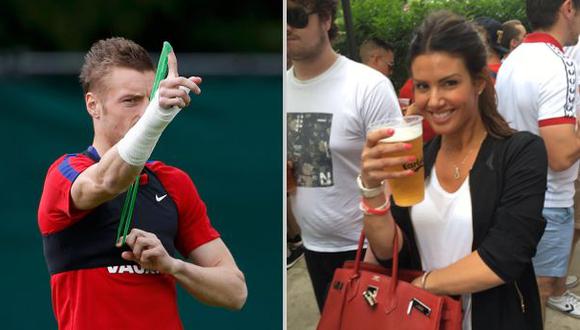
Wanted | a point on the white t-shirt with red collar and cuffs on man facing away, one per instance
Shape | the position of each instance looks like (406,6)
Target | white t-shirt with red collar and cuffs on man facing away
(536,86)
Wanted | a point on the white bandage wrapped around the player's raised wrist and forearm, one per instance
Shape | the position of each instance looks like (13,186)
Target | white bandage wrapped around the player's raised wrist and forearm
(136,146)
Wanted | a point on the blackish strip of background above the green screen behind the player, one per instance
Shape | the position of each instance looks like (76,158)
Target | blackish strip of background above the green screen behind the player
(192,26)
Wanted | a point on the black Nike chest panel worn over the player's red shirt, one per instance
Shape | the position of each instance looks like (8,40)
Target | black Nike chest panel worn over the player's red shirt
(90,242)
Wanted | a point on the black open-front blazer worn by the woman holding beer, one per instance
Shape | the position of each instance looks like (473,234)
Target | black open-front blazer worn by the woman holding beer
(507,186)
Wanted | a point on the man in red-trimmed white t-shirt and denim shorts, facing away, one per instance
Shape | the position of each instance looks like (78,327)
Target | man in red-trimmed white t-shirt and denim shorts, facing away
(536,87)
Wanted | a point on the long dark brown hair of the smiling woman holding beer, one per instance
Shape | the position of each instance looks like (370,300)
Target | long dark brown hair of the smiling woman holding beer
(444,31)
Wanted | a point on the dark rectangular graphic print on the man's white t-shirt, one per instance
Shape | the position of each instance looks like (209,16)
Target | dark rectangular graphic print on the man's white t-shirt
(308,148)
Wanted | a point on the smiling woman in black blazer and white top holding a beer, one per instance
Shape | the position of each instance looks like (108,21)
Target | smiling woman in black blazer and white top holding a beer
(476,230)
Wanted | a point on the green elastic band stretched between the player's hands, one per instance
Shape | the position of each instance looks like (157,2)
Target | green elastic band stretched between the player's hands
(129,204)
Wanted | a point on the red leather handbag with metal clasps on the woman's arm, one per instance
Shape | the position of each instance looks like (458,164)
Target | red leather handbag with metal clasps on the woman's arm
(363,296)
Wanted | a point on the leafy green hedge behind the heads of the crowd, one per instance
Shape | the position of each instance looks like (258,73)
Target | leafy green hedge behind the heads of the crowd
(395,20)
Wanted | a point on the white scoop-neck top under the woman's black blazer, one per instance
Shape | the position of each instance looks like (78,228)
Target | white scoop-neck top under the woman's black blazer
(443,225)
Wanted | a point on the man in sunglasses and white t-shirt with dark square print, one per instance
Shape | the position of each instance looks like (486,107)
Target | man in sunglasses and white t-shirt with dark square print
(331,101)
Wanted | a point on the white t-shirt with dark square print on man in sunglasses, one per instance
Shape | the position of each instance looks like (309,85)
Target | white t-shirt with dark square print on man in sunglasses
(327,121)
